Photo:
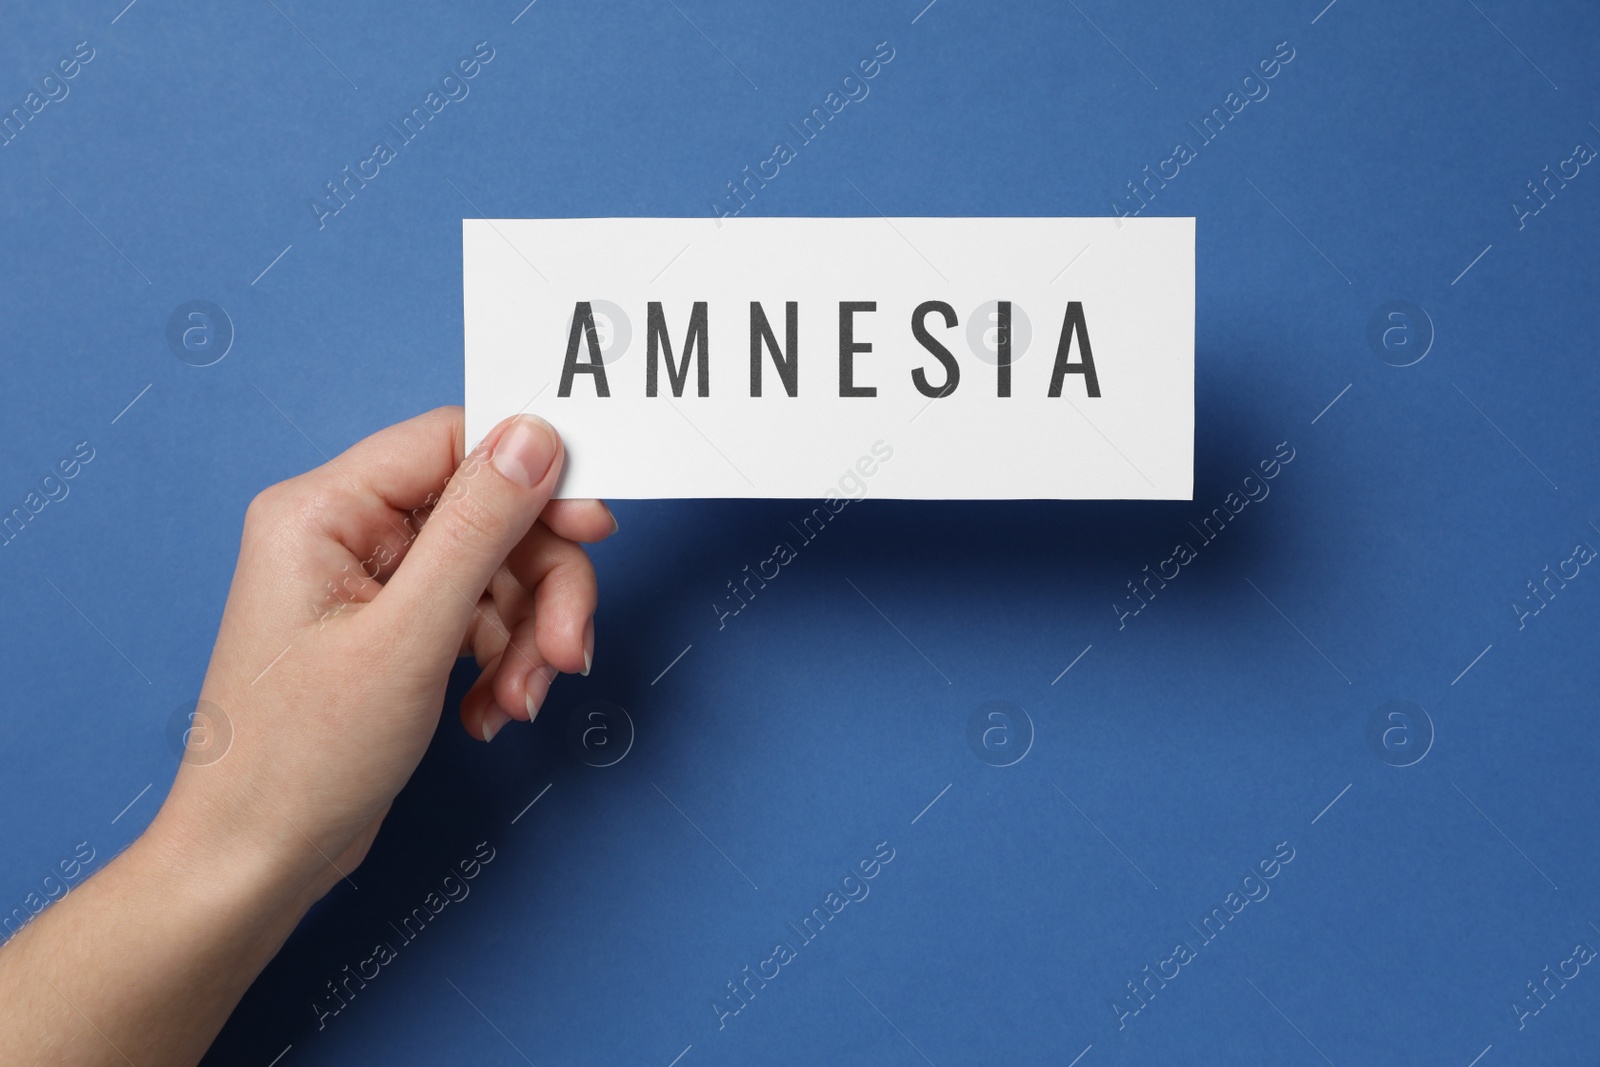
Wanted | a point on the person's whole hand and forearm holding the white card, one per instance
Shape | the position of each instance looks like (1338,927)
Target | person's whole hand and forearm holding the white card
(359,585)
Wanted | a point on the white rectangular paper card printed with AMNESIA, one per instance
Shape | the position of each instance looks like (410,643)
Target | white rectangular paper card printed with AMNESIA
(921,359)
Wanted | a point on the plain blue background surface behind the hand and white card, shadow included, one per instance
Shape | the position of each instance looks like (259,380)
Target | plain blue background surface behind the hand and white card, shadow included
(1174,756)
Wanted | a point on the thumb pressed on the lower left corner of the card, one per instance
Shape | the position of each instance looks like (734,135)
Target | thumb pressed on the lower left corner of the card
(487,508)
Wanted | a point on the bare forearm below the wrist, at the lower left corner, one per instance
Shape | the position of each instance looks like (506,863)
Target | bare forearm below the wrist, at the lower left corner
(145,962)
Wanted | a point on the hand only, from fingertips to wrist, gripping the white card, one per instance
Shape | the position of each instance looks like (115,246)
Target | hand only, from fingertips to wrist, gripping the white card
(358,586)
